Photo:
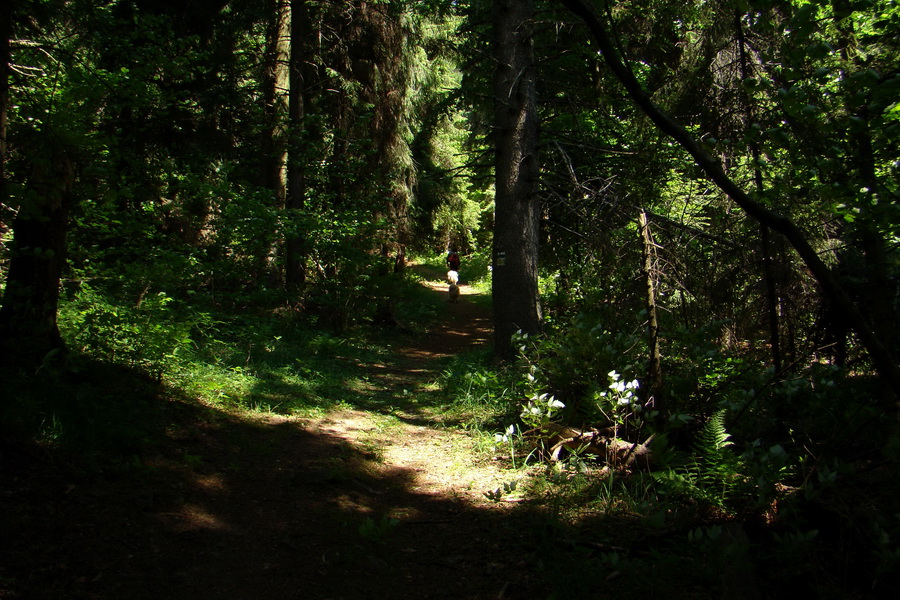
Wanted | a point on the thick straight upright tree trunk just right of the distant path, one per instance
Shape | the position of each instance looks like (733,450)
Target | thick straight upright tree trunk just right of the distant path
(517,209)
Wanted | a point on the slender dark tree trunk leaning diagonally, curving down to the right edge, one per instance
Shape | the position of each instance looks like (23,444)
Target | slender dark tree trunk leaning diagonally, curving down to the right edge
(831,288)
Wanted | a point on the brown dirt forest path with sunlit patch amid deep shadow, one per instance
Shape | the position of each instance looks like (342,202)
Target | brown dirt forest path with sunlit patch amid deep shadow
(346,505)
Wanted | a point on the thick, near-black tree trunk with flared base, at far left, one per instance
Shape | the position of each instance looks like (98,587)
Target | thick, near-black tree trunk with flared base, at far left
(28,326)
